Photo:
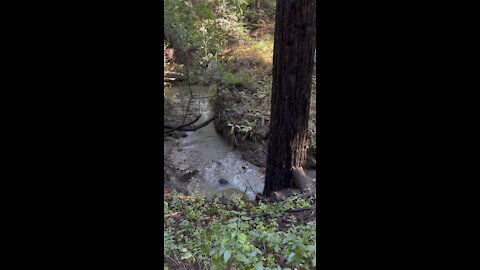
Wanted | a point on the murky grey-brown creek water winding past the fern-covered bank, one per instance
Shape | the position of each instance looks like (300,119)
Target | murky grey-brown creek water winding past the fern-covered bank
(206,155)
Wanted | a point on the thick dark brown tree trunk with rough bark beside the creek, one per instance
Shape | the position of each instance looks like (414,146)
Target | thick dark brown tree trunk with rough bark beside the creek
(292,80)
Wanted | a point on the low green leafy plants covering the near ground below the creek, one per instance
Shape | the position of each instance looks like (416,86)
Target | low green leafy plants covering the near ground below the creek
(216,236)
